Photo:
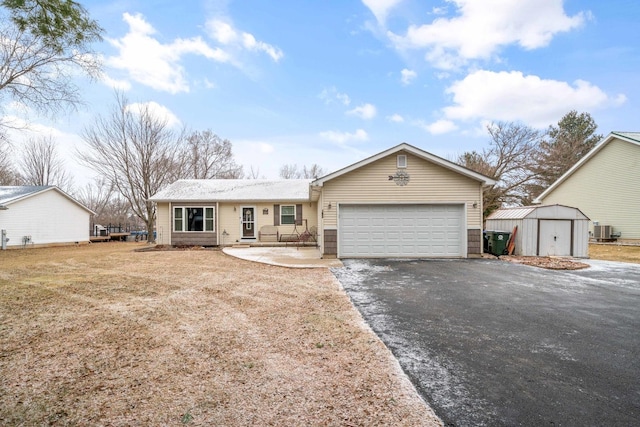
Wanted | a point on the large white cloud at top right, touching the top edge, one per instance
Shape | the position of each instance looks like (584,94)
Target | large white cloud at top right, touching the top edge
(481,28)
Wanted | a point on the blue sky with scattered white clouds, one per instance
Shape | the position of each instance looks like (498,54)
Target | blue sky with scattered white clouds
(333,81)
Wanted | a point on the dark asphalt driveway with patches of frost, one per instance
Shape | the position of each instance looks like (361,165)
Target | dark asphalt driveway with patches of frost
(488,342)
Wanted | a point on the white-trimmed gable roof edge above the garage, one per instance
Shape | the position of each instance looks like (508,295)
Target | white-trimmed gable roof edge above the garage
(416,152)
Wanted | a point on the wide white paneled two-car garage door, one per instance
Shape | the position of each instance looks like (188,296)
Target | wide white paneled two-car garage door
(372,231)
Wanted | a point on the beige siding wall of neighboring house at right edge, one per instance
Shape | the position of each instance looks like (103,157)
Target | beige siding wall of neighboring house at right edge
(606,188)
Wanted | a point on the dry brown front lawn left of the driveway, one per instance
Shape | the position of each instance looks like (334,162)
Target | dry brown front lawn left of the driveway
(103,335)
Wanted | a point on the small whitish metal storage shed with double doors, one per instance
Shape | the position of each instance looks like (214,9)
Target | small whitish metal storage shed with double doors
(551,230)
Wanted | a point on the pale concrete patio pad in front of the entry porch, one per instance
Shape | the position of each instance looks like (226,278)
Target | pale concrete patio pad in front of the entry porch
(284,257)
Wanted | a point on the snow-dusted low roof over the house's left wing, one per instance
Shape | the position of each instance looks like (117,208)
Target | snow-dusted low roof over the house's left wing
(237,190)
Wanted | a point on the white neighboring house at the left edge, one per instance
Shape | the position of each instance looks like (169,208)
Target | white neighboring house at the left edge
(41,216)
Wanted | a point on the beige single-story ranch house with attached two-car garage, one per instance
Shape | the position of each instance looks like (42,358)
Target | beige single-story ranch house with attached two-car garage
(402,202)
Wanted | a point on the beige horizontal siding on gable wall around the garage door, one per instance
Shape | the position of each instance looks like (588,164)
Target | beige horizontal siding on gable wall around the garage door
(428,183)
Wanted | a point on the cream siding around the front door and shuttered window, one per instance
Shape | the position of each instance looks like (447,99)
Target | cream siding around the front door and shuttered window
(231,222)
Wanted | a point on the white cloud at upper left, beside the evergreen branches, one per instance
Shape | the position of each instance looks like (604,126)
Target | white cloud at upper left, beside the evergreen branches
(154,64)
